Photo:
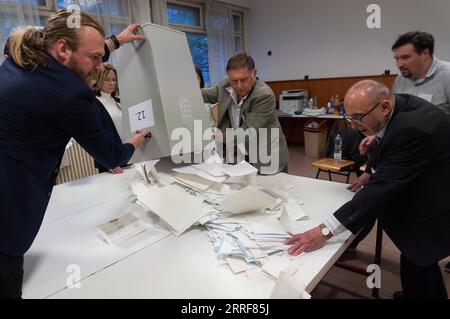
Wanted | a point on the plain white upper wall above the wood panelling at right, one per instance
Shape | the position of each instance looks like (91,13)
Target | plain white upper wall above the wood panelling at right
(324,38)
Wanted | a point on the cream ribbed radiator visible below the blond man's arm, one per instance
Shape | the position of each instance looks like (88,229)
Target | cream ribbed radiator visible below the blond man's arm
(76,164)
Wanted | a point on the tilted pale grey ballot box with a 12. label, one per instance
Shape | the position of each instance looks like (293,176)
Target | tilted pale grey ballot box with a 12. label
(159,91)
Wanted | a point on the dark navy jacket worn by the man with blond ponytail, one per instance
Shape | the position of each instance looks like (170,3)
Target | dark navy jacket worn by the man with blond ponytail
(39,111)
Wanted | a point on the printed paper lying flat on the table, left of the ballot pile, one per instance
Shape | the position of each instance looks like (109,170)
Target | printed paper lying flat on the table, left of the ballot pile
(121,228)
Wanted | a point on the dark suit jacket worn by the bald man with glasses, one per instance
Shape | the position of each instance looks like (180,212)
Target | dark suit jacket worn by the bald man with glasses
(410,190)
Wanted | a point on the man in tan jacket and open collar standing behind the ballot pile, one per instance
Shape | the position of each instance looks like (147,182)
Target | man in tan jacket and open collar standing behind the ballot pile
(248,116)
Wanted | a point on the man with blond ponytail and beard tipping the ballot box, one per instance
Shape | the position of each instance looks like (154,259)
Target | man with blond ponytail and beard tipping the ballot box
(44,101)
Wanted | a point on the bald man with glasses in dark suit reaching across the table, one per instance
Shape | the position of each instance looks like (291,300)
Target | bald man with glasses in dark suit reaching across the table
(408,189)
